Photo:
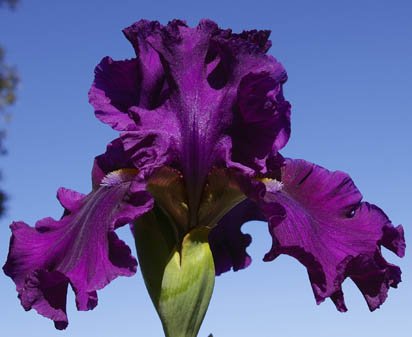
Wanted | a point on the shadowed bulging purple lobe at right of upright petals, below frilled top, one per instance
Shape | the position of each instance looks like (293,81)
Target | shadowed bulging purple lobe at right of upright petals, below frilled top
(264,122)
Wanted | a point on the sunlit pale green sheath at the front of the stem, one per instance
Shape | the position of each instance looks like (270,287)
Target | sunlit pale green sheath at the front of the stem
(187,286)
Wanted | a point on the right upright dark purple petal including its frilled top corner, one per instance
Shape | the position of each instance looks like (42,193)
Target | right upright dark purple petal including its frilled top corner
(261,124)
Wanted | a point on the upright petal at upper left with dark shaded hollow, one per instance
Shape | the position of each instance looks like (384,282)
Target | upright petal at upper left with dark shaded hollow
(120,86)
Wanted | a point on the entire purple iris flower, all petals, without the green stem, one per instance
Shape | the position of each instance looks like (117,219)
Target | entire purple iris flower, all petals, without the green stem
(202,117)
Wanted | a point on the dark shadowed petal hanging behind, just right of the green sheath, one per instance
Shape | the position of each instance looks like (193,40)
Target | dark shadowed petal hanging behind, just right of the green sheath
(228,243)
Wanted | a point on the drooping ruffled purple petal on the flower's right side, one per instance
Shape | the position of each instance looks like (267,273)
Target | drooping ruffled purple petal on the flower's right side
(318,218)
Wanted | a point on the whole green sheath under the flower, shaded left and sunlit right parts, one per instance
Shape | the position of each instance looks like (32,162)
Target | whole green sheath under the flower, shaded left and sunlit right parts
(179,276)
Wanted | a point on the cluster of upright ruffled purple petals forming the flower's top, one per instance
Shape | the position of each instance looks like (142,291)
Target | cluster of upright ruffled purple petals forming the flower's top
(204,97)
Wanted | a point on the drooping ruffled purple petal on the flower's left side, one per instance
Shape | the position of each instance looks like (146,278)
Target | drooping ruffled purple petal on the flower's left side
(80,249)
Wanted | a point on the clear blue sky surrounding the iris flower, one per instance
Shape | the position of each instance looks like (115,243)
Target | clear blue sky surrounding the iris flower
(350,82)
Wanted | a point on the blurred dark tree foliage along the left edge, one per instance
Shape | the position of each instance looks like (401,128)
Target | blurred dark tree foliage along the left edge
(8,84)
